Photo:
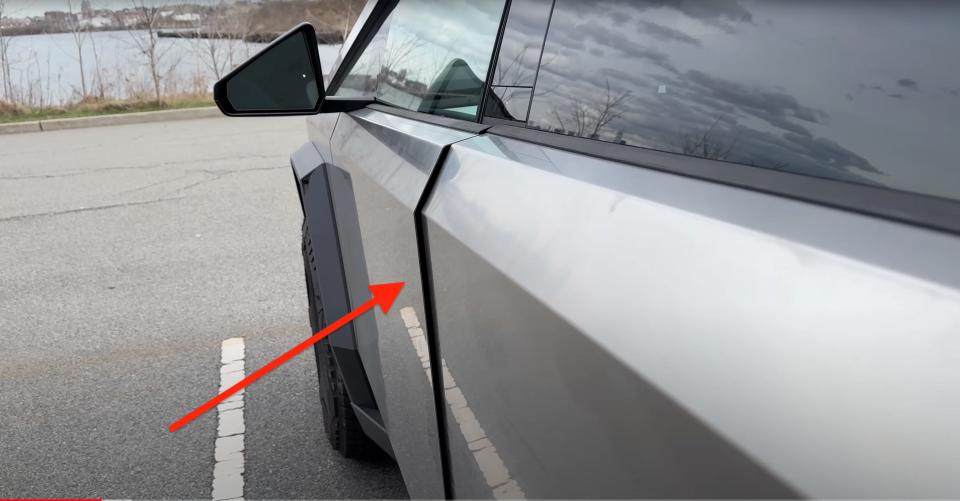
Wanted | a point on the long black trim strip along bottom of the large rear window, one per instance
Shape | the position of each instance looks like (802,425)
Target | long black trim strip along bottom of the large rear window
(930,212)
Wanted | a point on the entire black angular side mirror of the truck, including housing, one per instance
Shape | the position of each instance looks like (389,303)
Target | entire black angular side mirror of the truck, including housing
(282,79)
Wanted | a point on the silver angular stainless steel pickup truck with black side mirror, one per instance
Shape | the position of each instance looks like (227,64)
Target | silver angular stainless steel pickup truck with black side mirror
(651,248)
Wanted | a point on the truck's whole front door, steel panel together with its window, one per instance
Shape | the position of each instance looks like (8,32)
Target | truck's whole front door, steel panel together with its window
(384,159)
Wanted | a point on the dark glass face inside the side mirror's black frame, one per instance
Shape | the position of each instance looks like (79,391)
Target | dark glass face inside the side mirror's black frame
(280,79)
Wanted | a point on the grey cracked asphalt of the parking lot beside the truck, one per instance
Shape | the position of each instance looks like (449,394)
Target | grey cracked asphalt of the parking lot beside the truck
(127,254)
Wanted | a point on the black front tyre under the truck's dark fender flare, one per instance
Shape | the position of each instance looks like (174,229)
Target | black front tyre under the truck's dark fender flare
(339,421)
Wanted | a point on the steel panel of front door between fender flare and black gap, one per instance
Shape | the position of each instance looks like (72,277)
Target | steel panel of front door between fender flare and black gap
(378,173)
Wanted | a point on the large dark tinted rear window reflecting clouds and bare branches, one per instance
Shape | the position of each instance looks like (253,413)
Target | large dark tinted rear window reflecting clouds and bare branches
(867,92)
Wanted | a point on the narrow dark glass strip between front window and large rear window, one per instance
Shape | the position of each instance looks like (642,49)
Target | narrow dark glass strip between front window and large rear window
(516,70)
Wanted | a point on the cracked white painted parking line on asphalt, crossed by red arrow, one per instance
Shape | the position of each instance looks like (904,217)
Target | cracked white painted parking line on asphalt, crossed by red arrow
(228,449)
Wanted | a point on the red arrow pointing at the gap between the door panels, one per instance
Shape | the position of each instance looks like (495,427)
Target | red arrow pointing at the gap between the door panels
(383,295)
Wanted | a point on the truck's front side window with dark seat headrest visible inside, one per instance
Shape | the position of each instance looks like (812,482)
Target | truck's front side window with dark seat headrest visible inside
(430,56)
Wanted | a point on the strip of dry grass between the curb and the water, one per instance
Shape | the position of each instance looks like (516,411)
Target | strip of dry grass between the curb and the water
(91,107)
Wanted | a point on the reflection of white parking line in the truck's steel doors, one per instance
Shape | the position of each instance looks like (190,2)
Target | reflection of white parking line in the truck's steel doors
(494,470)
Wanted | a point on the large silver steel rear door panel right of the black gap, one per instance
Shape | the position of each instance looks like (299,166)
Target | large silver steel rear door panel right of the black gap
(618,331)
